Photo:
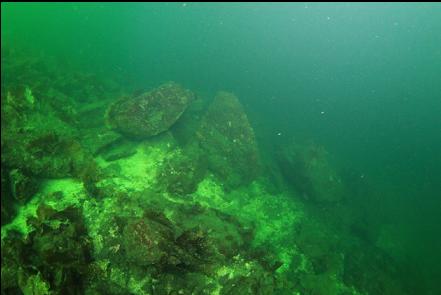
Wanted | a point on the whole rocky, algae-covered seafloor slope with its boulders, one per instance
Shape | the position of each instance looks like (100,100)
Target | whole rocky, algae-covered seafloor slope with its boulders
(165,191)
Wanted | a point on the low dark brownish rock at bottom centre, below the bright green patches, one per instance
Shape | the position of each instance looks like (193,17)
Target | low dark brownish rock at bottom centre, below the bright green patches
(154,240)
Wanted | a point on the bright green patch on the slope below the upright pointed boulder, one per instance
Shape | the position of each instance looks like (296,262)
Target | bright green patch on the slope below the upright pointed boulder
(274,216)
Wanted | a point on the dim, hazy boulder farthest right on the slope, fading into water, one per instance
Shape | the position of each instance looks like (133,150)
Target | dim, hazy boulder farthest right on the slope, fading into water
(307,169)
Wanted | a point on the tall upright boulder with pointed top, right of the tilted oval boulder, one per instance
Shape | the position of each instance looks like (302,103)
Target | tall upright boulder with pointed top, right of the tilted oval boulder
(227,139)
